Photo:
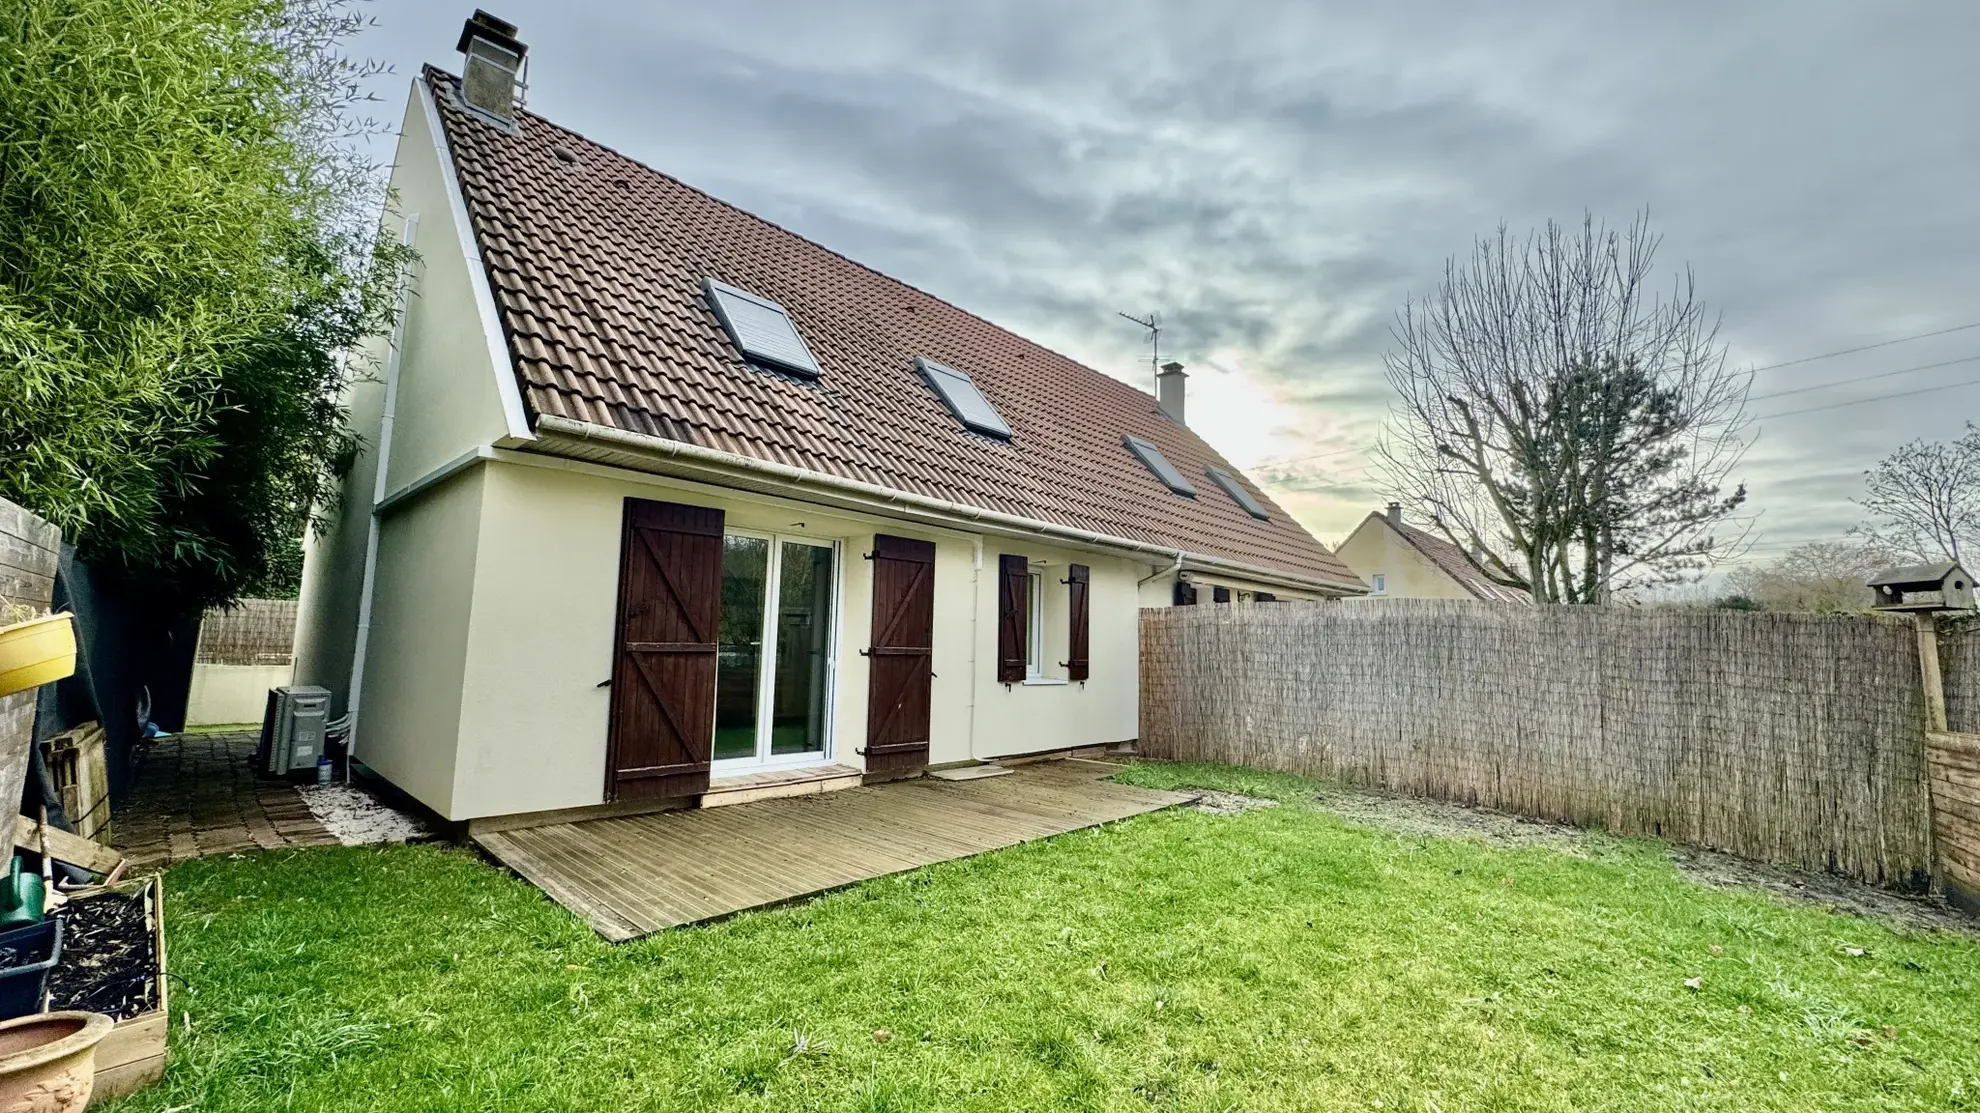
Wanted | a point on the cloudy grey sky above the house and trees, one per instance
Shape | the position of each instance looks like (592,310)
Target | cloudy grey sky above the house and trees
(1276,179)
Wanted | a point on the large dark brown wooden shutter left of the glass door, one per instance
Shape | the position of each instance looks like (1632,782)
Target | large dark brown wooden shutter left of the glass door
(662,728)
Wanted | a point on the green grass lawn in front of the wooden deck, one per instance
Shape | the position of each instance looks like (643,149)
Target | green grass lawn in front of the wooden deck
(1278,960)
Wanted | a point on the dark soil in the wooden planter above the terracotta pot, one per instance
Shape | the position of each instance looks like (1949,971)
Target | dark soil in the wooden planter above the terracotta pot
(108,958)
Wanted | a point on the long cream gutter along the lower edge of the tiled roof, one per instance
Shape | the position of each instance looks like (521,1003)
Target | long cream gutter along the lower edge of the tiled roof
(904,504)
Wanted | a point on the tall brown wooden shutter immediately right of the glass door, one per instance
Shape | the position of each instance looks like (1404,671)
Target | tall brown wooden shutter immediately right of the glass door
(902,658)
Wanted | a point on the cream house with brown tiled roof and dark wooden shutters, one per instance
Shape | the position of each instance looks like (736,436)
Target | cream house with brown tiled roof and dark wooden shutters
(672,496)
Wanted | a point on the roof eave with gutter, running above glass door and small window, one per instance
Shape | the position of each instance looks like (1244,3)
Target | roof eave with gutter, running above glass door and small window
(565,437)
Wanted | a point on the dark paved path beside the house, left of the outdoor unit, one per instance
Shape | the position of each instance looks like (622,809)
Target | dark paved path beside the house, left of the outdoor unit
(197,795)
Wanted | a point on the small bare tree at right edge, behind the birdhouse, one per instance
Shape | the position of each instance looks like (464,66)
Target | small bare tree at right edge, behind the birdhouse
(1926,498)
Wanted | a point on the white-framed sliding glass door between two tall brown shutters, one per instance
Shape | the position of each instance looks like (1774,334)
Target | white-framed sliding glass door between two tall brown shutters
(773,678)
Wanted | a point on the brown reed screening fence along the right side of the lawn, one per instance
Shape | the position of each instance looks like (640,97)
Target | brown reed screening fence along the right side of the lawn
(1783,738)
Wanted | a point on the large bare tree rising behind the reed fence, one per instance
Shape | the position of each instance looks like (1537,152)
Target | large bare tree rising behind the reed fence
(1563,423)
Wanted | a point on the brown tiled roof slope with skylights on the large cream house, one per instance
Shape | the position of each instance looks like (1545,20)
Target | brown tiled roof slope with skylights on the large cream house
(597,268)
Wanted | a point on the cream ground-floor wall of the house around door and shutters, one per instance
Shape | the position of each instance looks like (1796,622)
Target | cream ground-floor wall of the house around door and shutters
(532,718)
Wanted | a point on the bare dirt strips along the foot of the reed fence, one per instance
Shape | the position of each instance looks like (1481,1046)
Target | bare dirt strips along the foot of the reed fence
(1436,819)
